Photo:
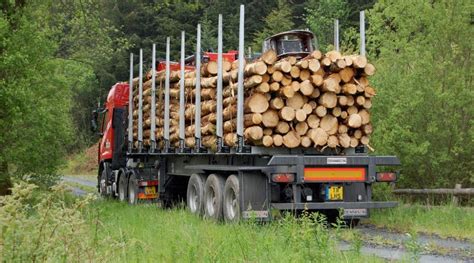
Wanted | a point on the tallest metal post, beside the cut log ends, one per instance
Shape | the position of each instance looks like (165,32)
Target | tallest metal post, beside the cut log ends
(240,83)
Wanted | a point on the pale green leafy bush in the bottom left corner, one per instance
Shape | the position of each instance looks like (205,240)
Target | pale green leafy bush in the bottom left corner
(47,226)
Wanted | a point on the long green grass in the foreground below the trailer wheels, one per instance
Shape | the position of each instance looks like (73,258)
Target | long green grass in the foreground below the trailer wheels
(148,233)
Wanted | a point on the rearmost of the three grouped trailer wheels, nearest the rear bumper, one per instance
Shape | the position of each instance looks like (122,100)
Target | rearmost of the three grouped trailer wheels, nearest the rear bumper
(232,199)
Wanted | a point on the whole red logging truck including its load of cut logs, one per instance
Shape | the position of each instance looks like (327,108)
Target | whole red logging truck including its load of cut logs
(235,139)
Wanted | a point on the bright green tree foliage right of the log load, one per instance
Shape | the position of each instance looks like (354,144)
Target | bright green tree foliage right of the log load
(424,111)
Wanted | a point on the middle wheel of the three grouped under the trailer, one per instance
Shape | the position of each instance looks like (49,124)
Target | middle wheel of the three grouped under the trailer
(213,197)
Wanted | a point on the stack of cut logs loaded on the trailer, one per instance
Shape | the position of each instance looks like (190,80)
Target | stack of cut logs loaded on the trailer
(318,101)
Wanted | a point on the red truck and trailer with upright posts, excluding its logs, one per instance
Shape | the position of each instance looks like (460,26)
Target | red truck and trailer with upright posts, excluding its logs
(231,183)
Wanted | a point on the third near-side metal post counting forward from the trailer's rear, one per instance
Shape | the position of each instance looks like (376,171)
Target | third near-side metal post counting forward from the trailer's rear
(197,125)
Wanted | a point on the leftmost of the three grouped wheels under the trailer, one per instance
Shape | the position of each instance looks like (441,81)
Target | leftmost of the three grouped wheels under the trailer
(195,194)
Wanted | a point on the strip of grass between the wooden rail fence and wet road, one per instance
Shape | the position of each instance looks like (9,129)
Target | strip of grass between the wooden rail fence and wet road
(448,221)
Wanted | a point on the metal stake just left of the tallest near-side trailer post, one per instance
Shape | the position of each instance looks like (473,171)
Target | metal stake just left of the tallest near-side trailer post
(219,121)
